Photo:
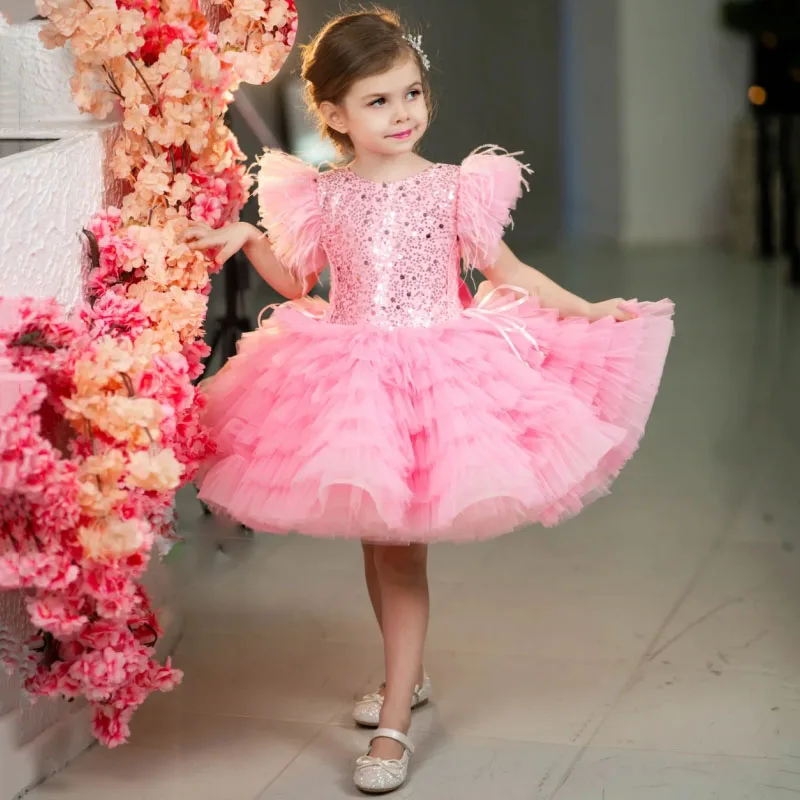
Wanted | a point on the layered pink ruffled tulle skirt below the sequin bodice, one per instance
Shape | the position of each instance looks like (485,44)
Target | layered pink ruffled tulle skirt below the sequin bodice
(459,432)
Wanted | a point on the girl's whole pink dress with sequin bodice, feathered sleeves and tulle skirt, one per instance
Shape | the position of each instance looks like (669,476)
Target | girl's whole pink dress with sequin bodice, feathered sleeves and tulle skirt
(394,414)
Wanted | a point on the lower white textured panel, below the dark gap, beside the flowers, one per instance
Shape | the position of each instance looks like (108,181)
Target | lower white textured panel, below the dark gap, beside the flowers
(48,196)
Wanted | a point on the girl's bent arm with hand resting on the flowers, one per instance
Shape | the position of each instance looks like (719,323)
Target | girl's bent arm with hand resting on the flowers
(256,246)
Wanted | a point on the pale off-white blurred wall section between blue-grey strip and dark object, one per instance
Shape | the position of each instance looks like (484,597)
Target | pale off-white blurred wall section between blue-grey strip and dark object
(683,87)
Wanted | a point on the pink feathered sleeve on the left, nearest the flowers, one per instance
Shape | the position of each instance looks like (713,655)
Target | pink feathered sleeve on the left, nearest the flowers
(290,211)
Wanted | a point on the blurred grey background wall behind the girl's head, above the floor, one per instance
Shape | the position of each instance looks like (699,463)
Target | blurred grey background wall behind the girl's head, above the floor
(629,111)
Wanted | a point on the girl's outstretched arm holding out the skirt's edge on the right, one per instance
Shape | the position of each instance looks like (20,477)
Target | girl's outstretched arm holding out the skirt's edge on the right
(508,269)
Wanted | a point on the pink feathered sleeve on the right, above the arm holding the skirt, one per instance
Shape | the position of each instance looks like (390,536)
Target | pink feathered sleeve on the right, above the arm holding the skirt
(490,184)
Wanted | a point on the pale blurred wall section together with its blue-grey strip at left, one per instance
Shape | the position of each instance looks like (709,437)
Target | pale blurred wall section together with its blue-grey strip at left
(665,103)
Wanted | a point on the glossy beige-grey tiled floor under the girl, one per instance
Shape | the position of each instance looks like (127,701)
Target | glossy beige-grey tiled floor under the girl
(648,650)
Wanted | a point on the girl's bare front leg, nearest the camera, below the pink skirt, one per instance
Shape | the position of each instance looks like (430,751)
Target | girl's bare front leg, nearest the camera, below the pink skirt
(402,573)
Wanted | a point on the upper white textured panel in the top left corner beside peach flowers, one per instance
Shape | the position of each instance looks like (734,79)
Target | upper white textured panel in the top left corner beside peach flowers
(34,82)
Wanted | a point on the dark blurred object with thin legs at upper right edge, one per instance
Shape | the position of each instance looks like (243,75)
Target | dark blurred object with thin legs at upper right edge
(774,28)
